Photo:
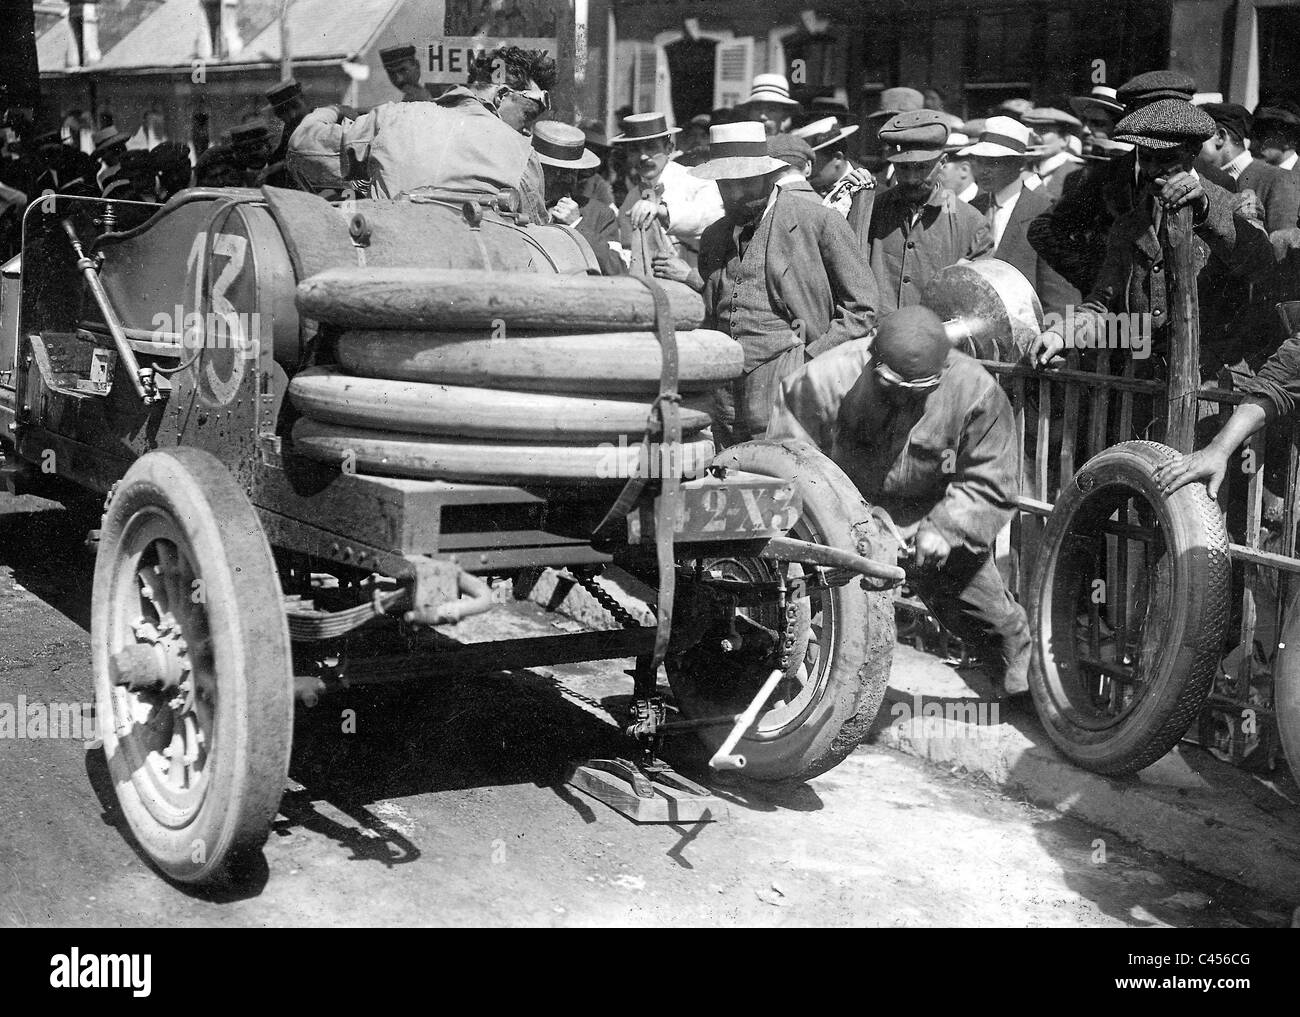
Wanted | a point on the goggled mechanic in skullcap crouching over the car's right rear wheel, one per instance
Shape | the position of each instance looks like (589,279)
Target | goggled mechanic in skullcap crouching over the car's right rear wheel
(928,435)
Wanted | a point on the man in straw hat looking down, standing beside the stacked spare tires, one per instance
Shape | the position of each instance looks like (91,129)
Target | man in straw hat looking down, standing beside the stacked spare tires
(782,276)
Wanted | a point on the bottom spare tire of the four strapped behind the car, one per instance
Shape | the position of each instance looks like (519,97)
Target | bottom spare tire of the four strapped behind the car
(419,456)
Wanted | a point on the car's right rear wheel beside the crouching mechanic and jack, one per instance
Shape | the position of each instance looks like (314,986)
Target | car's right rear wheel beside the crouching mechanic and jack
(834,646)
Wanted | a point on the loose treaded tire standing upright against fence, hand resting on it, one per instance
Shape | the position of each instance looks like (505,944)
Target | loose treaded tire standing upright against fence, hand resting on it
(1116,704)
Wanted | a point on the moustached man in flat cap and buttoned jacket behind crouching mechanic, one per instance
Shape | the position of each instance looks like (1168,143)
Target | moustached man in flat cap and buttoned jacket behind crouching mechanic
(917,227)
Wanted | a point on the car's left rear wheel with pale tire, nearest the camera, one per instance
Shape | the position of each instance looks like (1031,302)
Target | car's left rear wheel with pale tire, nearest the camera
(193,678)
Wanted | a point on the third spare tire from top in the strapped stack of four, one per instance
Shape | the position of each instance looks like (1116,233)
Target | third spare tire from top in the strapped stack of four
(327,395)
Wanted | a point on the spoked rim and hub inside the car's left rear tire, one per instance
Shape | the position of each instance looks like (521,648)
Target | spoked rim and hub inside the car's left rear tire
(167,733)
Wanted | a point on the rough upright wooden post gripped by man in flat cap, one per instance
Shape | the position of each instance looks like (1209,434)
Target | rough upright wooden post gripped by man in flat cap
(1185,341)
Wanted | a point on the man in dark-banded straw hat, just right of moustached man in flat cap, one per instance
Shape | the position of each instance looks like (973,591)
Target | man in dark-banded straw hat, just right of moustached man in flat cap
(1011,207)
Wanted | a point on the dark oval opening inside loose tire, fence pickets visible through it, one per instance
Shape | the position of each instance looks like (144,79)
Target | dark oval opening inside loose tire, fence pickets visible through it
(1104,664)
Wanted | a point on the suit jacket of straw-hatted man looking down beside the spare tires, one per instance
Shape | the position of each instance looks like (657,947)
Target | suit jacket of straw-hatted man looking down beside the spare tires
(816,272)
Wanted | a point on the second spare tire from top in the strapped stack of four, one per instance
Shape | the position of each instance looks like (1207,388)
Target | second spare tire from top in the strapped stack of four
(600,363)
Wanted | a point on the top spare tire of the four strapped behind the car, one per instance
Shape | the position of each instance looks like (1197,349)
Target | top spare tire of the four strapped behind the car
(445,298)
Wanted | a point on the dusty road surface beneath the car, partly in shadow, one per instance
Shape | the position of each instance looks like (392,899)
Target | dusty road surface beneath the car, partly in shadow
(445,808)
